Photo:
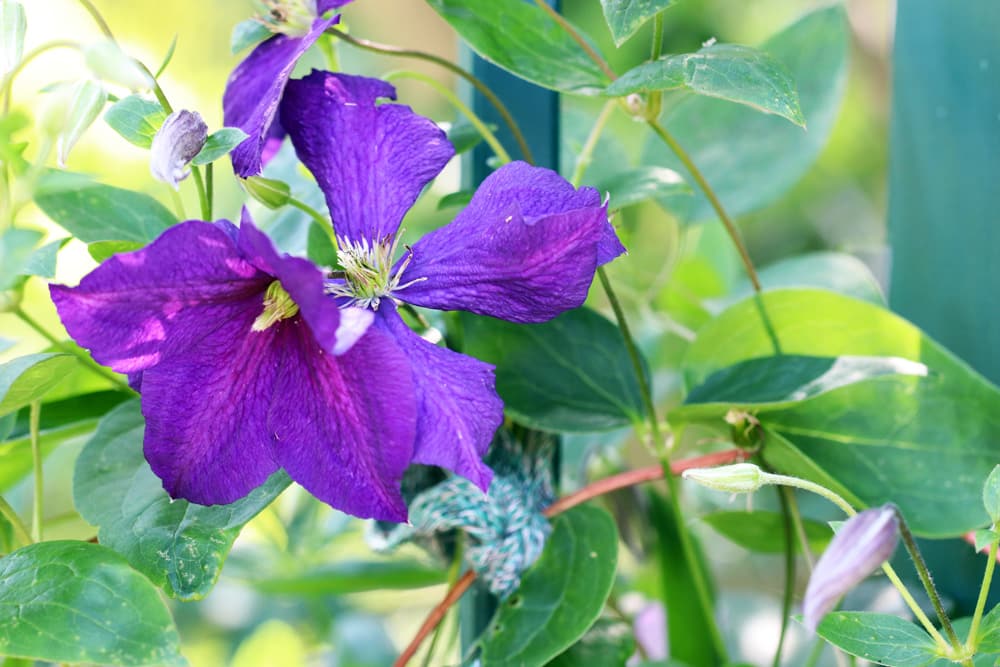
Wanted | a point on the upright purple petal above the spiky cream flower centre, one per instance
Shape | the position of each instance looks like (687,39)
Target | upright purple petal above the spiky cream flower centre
(371,160)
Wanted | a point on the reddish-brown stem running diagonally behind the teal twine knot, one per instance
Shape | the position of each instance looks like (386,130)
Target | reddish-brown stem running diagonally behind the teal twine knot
(598,488)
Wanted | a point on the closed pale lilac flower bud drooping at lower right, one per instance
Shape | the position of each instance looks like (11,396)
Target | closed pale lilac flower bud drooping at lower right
(862,544)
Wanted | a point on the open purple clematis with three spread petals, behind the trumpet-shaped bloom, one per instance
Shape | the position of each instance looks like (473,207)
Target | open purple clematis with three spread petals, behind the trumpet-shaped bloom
(525,249)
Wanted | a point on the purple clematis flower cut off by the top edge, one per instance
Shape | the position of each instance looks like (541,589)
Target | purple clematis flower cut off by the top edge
(255,87)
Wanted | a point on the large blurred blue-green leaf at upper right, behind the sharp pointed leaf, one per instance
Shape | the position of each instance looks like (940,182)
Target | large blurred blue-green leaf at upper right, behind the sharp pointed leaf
(750,159)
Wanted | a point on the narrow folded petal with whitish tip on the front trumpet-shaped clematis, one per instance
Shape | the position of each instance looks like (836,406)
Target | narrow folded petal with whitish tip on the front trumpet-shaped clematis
(335,330)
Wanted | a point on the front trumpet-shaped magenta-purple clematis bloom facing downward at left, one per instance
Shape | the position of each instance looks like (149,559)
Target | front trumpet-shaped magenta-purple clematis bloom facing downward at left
(247,366)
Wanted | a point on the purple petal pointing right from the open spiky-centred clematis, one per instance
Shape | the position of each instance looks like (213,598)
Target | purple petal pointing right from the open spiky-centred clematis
(525,249)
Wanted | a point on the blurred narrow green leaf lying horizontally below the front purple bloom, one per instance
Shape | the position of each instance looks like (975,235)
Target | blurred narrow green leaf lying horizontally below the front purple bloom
(351,577)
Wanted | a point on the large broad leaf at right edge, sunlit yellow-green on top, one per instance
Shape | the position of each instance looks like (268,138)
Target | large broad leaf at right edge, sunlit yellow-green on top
(864,435)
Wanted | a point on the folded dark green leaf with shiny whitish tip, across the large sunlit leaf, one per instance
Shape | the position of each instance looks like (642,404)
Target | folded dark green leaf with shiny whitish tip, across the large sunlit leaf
(782,381)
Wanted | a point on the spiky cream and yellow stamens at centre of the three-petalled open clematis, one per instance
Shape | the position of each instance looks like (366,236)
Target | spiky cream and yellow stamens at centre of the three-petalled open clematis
(367,275)
